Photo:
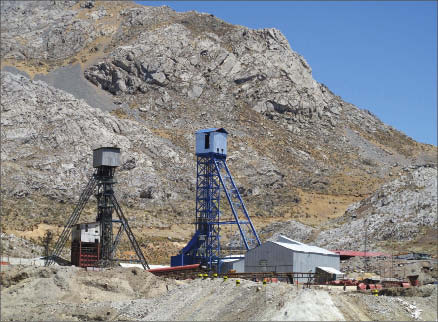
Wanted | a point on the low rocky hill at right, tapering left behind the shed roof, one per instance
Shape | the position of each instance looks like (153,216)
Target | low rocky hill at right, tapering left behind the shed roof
(400,215)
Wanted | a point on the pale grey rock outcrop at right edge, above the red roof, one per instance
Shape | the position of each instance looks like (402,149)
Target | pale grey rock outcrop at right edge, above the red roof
(397,212)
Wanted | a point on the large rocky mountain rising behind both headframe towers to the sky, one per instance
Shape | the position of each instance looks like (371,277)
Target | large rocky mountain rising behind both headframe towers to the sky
(77,75)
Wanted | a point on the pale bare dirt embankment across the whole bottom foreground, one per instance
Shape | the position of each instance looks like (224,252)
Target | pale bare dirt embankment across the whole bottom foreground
(69,293)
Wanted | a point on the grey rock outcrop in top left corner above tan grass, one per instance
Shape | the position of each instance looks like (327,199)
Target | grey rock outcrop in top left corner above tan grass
(52,33)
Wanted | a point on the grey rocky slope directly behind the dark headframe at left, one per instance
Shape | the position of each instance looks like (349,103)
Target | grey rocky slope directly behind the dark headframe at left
(37,118)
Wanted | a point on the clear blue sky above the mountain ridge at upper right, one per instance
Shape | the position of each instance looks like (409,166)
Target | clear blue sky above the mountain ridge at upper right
(381,56)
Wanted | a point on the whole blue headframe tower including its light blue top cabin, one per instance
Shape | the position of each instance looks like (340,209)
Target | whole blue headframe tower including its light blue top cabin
(213,180)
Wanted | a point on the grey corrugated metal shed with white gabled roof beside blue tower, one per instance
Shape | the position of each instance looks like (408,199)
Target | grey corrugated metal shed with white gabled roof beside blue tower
(287,255)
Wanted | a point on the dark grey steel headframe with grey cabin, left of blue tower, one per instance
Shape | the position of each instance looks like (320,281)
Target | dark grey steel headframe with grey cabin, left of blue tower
(101,250)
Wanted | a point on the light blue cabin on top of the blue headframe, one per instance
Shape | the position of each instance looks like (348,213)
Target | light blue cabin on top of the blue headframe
(211,141)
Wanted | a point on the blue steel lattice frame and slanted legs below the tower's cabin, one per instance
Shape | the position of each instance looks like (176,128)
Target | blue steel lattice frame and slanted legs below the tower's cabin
(213,177)
